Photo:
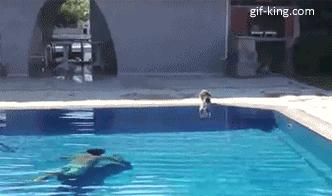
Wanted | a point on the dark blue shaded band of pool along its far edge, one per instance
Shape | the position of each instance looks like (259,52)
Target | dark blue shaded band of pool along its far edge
(133,120)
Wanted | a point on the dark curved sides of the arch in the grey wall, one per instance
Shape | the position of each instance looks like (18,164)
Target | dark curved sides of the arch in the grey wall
(102,44)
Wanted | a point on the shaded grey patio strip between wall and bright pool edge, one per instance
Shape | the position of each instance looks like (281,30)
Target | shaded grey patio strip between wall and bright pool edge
(156,87)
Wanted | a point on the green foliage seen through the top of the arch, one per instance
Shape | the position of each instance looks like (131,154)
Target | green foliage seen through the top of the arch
(76,11)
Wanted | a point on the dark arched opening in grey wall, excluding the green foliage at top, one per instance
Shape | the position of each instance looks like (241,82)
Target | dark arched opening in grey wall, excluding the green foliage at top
(53,31)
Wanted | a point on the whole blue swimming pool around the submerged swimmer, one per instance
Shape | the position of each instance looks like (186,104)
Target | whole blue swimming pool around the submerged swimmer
(238,151)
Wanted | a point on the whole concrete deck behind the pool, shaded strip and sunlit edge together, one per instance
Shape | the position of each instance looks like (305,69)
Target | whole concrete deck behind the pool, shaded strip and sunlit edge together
(308,105)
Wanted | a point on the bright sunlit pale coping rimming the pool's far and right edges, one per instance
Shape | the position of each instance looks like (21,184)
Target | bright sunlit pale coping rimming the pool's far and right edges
(313,123)
